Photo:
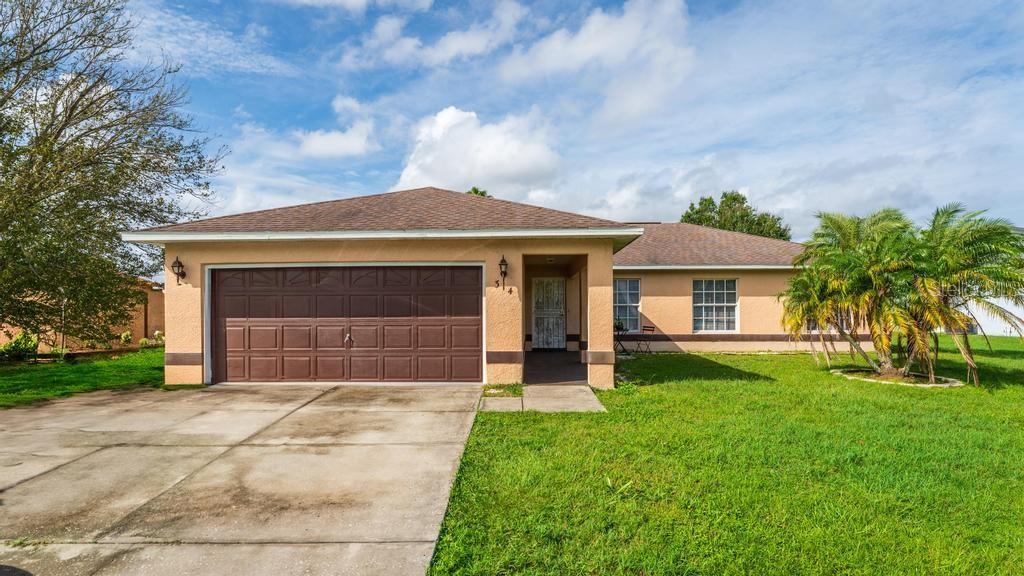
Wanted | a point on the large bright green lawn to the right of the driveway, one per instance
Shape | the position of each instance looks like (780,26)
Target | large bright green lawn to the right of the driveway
(751,465)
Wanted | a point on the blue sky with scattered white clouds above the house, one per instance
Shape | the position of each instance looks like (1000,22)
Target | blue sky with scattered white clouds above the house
(623,111)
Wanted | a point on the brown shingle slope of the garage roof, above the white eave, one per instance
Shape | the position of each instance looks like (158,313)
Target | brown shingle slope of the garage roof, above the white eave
(425,209)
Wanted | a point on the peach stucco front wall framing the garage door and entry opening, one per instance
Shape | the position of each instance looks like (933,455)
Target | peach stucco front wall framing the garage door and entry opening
(503,308)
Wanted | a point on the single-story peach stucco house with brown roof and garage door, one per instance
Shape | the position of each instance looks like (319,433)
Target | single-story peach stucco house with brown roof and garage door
(439,286)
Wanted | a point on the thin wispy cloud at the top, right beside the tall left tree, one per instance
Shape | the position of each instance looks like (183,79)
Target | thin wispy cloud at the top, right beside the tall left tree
(200,48)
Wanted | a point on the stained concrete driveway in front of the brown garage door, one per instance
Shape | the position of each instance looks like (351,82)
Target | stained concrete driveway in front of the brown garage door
(231,480)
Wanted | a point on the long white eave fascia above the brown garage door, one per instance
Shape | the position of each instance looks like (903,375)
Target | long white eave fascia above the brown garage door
(621,235)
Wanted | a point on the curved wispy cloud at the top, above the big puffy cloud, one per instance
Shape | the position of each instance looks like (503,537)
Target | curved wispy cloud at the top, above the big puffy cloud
(388,46)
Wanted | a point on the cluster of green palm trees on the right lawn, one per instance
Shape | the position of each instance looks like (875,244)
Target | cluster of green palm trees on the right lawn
(906,284)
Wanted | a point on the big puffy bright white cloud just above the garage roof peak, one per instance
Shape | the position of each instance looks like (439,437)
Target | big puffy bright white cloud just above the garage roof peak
(455,150)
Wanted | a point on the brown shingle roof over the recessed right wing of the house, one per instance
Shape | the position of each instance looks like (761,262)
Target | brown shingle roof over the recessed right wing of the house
(691,246)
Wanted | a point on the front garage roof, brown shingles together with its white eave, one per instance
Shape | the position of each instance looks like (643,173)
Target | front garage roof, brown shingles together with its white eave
(420,213)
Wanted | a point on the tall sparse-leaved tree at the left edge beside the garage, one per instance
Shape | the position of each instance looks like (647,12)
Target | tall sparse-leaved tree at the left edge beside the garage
(90,147)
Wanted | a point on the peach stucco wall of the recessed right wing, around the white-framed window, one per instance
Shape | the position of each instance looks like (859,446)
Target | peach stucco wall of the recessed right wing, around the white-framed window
(667,304)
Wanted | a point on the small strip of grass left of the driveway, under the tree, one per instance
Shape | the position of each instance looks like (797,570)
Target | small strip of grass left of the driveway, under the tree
(25,384)
